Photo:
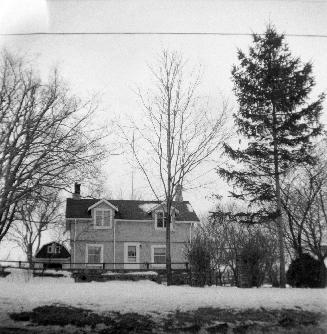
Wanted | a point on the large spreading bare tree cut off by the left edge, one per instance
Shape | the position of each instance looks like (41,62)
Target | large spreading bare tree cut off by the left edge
(45,137)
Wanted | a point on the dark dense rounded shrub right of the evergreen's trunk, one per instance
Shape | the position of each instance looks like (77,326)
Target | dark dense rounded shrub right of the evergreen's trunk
(304,272)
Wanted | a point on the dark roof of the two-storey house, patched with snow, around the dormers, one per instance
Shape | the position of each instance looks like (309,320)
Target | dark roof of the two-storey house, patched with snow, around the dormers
(128,209)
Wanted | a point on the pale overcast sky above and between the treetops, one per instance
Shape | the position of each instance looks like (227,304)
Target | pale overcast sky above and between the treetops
(114,65)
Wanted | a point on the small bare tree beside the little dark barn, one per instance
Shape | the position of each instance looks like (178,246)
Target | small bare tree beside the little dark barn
(34,217)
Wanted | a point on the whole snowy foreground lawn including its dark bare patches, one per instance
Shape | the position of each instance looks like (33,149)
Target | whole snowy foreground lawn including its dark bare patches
(148,307)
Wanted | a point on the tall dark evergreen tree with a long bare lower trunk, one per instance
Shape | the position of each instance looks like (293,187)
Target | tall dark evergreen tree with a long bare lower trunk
(278,122)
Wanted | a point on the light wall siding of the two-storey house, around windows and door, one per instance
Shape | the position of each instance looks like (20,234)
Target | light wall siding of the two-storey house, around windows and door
(141,232)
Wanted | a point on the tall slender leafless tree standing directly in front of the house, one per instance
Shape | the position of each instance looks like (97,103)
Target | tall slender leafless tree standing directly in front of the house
(177,135)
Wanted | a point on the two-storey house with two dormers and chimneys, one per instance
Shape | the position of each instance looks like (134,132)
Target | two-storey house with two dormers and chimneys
(126,234)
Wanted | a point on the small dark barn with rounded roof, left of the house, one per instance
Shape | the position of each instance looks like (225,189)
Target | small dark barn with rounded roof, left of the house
(52,255)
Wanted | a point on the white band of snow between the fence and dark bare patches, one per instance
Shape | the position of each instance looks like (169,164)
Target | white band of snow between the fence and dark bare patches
(20,291)
